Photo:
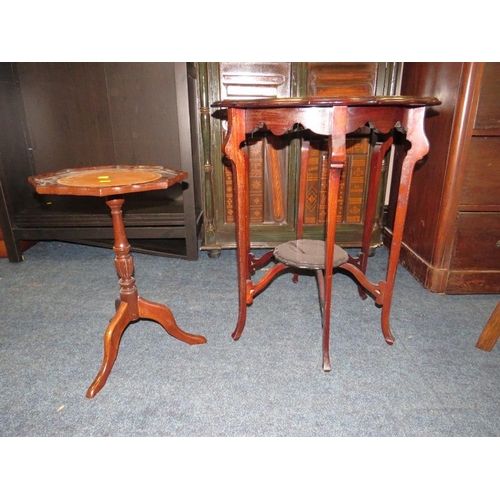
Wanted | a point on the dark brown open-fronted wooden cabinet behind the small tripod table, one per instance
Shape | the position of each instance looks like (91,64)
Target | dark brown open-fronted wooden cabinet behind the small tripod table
(67,115)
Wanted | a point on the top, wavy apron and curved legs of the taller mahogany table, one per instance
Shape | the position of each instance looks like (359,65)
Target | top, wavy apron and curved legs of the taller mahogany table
(333,118)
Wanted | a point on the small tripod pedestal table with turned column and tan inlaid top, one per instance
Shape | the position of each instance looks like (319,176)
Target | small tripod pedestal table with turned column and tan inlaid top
(112,182)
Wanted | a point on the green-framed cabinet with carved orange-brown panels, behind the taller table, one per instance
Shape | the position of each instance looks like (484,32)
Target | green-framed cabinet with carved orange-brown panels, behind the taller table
(274,161)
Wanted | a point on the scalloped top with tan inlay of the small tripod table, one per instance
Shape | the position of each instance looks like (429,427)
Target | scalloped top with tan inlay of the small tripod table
(107,180)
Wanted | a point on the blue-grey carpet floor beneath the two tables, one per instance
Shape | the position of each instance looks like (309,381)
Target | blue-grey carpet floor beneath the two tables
(55,306)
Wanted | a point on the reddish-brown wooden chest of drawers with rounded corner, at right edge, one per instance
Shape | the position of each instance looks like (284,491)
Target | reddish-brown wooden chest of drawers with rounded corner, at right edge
(451,242)
